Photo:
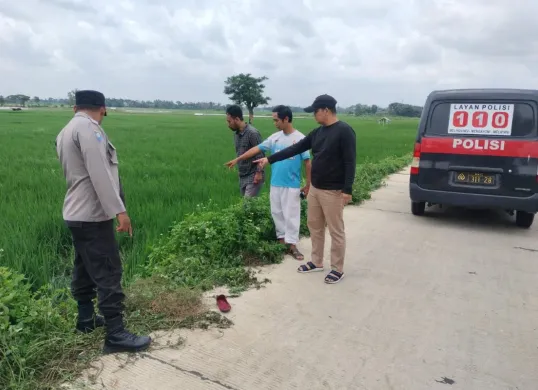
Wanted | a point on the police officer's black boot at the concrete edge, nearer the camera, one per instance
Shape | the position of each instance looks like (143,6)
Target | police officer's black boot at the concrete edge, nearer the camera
(118,339)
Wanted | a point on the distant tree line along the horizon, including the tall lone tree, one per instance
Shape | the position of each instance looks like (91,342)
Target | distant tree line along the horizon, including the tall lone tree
(243,89)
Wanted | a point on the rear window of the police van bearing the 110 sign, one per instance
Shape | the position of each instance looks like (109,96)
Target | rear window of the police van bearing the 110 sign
(523,122)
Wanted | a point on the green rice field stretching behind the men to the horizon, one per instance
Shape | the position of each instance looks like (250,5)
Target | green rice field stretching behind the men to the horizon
(170,162)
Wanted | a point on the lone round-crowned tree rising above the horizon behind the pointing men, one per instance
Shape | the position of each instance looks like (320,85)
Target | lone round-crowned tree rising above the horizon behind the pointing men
(244,89)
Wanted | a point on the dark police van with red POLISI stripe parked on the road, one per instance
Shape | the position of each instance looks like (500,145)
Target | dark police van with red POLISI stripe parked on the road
(478,148)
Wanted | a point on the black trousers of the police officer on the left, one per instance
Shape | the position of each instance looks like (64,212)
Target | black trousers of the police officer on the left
(97,270)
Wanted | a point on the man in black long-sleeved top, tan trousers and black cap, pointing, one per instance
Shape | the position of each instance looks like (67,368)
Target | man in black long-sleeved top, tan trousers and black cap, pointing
(333,147)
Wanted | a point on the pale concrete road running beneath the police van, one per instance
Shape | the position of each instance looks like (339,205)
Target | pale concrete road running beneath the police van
(445,301)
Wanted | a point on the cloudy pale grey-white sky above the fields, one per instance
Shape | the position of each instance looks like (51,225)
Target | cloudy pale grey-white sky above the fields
(359,51)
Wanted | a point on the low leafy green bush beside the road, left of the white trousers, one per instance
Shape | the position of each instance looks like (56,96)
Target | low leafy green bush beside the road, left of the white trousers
(212,248)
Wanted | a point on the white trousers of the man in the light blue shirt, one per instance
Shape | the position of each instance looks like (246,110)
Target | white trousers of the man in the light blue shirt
(286,212)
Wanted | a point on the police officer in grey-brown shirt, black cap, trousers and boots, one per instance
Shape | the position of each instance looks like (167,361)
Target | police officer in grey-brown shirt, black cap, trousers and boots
(93,200)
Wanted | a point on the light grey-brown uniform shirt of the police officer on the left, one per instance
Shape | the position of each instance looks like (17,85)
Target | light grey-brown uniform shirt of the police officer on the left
(90,166)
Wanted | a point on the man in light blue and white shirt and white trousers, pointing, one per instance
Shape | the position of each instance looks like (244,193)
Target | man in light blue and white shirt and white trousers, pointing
(285,191)
